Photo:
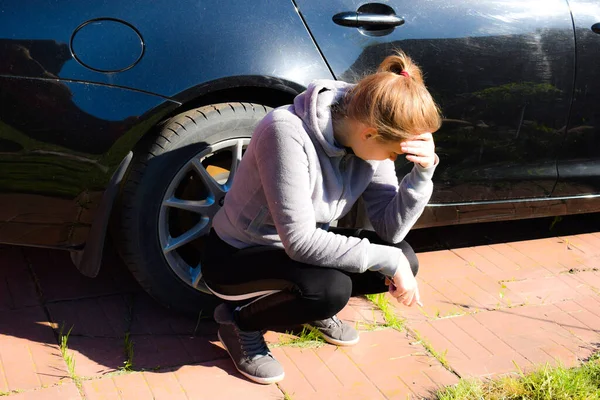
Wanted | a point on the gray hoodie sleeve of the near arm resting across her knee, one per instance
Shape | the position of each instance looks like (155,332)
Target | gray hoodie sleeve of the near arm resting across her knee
(283,168)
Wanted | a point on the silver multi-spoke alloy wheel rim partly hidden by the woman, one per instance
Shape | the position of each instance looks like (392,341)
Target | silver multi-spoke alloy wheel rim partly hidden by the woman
(205,208)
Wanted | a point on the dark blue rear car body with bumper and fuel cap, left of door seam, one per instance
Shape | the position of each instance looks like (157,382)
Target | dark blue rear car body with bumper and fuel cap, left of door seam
(66,123)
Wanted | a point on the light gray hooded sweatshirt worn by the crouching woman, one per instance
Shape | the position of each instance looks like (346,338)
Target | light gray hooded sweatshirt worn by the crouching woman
(294,180)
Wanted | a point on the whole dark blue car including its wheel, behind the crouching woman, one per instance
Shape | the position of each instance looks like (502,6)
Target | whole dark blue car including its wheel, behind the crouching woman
(128,118)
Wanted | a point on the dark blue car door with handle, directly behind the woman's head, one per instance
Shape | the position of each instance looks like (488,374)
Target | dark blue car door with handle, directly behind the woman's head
(501,70)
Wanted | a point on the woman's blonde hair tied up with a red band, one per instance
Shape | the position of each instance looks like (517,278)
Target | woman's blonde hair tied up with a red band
(393,100)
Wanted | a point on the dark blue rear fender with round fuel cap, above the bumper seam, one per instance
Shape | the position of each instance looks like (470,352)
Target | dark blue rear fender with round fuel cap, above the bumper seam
(186,43)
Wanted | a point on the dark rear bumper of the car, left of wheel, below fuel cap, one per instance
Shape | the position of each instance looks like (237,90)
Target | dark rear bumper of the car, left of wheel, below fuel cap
(60,143)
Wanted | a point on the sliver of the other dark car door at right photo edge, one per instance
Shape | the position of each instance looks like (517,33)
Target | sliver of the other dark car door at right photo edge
(579,158)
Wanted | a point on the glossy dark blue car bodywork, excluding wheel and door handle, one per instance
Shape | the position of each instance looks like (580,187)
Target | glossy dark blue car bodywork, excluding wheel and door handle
(503,73)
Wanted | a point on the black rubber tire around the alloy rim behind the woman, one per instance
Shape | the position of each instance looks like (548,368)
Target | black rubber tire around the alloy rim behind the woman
(143,214)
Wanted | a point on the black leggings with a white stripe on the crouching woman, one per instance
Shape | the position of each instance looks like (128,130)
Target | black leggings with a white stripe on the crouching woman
(272,290)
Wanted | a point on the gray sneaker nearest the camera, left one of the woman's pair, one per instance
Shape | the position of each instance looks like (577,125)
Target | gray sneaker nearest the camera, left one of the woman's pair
(247,349)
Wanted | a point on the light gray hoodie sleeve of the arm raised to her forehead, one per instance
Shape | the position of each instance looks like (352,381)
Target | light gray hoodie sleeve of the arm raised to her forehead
(394,208)
